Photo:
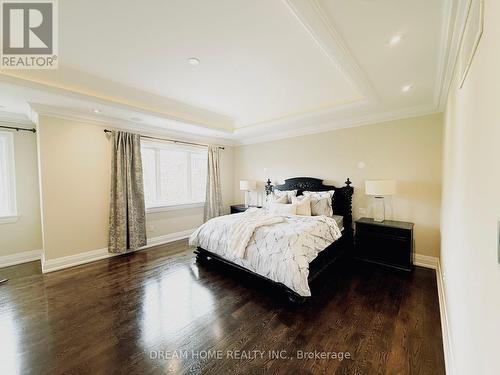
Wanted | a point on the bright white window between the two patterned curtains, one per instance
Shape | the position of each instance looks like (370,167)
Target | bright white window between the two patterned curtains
(173,175)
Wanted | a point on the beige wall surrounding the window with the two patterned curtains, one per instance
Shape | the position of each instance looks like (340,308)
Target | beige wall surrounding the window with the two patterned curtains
(75,163)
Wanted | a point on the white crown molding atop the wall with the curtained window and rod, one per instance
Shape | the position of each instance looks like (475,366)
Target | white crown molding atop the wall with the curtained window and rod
(38,110)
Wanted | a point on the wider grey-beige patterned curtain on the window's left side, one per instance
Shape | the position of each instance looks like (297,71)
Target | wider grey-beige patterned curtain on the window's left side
(127,213)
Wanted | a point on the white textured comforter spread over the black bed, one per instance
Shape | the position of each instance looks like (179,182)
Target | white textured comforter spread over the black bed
(280,251)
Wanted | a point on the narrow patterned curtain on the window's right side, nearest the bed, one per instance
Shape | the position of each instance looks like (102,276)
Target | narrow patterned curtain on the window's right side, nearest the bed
(213,202)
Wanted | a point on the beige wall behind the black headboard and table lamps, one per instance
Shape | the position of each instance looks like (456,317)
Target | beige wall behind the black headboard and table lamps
(408,151)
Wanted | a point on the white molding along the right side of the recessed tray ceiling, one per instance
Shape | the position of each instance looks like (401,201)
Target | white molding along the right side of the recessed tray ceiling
(315,20)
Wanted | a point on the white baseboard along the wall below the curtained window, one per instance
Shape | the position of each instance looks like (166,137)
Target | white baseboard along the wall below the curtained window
(99,254)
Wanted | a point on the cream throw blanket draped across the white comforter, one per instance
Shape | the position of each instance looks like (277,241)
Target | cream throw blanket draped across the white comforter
(242,229)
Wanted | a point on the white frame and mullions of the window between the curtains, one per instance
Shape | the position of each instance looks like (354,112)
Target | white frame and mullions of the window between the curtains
(157,146)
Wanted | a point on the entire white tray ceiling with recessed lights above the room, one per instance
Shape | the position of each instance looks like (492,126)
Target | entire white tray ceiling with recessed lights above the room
(268,68)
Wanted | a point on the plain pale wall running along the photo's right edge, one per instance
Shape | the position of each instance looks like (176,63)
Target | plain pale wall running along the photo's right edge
(471,208)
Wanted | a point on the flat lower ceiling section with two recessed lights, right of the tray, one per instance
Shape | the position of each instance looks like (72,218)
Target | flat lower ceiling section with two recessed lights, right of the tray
(367,26)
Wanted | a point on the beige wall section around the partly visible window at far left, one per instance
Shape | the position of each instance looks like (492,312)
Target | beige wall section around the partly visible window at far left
(24,234)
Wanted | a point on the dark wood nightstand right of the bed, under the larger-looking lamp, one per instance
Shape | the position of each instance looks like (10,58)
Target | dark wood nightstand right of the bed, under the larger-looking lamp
(389,243)
